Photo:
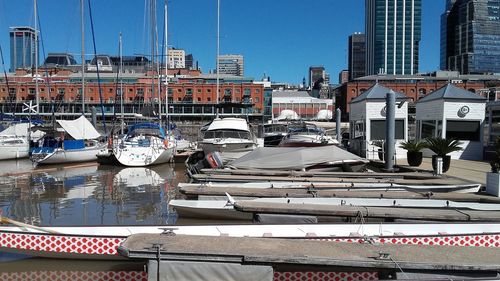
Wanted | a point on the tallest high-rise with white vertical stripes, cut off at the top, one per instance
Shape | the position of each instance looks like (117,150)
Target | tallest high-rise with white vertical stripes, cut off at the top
(393,32)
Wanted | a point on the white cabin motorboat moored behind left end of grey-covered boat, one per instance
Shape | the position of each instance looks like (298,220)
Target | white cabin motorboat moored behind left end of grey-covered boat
(231,137)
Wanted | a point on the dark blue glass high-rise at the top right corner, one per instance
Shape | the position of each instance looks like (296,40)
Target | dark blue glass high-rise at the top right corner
(474,44)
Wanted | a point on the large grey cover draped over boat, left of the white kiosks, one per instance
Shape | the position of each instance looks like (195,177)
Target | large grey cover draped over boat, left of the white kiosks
(293,158)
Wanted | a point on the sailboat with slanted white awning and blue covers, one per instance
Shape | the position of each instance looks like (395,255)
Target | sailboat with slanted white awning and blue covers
(77,142)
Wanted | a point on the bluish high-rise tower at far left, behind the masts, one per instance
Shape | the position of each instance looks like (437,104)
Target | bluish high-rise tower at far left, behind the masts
(22,47)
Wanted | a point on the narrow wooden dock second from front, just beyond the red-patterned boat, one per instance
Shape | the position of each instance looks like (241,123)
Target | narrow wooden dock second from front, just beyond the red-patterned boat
(391,213)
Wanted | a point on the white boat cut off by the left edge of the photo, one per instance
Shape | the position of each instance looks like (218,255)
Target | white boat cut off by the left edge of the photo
(14,141)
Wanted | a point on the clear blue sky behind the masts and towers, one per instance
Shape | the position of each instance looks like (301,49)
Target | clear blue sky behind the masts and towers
(279,38)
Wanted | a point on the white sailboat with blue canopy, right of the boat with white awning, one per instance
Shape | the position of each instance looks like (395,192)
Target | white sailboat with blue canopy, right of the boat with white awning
(145,144)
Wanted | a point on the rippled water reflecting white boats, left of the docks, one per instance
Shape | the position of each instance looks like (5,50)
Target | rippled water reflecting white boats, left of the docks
(90,194)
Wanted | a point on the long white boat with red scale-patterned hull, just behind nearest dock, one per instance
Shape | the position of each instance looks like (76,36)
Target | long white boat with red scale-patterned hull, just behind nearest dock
(102,242)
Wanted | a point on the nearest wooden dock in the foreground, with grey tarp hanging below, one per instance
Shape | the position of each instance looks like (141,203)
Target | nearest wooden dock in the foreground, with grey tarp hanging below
(319,254)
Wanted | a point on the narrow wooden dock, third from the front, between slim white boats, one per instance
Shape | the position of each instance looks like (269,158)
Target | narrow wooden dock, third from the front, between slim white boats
(193,191)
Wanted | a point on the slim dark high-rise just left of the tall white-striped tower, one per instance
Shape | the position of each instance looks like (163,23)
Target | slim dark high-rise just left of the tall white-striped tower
(356,56)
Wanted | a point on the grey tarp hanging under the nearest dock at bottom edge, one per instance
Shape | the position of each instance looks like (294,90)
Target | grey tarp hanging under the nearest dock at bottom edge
(198,271)
